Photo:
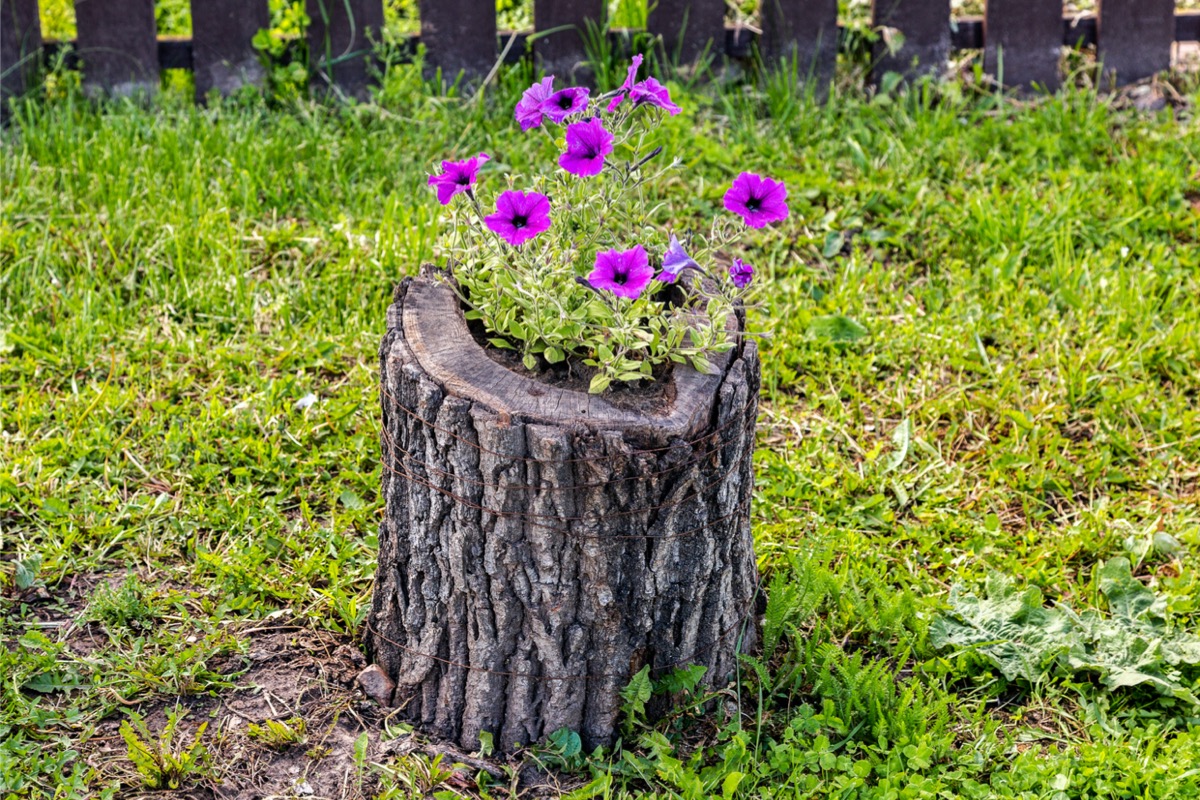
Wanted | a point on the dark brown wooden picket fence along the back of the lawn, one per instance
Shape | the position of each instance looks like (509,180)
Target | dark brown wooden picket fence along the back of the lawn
(1022,40)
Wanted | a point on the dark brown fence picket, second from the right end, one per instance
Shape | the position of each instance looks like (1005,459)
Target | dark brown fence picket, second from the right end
(1023,43)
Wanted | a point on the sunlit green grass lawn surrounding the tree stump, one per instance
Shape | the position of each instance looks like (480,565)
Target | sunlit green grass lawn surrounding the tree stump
(982,370)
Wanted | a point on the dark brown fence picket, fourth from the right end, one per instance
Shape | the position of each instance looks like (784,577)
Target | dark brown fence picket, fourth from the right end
(806,31)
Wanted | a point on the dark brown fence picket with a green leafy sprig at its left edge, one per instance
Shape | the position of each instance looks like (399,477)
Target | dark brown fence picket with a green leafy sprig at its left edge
(926,27)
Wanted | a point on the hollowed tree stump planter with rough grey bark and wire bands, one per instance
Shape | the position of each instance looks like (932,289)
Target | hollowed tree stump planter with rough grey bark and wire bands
(541,546)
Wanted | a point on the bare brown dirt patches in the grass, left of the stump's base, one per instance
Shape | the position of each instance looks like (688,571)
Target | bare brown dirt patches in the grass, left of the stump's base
(346,747)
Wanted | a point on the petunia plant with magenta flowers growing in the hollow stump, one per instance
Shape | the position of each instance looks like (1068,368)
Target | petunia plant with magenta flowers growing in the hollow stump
(573,267)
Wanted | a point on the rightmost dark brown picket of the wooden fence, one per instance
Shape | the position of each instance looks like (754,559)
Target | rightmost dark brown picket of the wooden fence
(1135,38)
